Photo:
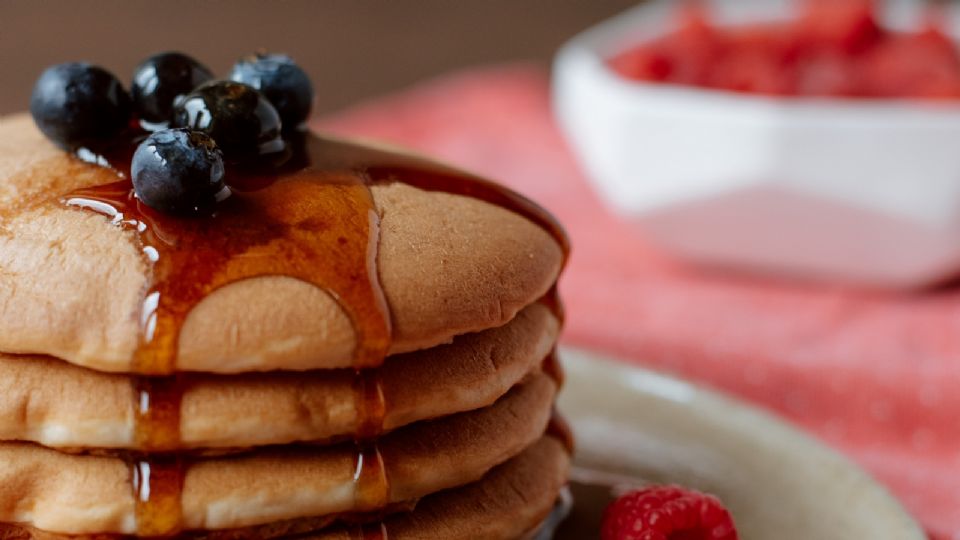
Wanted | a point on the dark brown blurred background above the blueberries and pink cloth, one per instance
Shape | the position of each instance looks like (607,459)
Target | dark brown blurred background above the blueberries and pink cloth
(352,48)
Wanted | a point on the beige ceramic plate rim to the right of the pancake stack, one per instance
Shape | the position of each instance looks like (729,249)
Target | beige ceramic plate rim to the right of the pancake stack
(635,426)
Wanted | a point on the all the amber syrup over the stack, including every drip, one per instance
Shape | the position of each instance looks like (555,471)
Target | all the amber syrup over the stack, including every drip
(311,217)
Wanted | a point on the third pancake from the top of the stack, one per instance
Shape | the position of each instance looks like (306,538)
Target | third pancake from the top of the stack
(77,494)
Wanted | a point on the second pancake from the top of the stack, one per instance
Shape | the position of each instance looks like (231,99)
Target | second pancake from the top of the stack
(61,405)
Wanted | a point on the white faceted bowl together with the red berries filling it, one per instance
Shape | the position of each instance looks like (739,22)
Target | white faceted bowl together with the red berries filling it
(815,145)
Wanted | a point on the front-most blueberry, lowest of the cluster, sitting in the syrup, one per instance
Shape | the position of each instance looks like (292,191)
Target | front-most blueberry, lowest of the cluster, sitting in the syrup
(178,171)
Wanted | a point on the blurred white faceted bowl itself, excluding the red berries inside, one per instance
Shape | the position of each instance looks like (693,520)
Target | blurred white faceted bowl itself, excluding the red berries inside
(865,192)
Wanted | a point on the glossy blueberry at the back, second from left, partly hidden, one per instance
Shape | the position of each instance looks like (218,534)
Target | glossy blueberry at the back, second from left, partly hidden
(158,80)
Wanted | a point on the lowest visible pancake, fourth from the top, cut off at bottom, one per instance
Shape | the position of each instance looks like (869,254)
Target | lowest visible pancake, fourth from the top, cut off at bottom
(508,502)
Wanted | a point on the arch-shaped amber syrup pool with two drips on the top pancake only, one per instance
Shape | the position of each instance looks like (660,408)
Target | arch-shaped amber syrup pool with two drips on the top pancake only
(297,220)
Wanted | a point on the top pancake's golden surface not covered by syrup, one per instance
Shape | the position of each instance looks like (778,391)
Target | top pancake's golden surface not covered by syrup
(72,284)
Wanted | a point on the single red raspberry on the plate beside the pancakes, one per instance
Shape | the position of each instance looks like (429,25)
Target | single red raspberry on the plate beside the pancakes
(667,513)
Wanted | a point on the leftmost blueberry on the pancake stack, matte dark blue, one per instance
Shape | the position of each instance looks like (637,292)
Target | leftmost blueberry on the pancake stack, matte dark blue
(77,104)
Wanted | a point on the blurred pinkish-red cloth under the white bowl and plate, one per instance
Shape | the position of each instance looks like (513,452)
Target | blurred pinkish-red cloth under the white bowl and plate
(875,375)
